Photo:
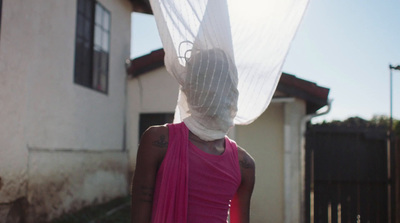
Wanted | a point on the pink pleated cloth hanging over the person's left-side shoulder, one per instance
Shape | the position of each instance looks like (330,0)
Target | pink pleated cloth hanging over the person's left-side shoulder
(171,192)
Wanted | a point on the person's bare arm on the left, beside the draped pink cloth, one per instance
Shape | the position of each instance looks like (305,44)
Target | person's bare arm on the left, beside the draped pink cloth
(152,149)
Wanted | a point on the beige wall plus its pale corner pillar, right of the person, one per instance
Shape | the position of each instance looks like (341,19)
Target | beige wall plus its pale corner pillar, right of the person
(274,140)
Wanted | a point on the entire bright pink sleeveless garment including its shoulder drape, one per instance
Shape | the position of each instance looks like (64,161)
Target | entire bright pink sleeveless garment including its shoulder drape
(194,186)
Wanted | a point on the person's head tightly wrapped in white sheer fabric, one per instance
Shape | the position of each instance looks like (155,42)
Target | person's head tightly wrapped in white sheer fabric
(210,92)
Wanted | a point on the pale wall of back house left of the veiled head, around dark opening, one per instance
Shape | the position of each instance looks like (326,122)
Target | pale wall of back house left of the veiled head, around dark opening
(154,92)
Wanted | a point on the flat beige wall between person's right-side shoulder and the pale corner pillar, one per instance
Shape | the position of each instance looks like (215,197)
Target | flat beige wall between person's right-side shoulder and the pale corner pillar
(263,139)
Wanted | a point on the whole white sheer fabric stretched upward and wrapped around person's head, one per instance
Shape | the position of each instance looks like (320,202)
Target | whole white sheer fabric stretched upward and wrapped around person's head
(217,48)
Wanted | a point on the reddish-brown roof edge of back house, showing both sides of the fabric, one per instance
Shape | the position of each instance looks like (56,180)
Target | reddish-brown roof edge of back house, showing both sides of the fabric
(315,96)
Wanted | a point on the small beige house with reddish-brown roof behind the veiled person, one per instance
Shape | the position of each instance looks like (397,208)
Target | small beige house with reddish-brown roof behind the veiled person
(275,139)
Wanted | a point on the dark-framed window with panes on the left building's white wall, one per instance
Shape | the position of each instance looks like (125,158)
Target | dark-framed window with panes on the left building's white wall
(85,34)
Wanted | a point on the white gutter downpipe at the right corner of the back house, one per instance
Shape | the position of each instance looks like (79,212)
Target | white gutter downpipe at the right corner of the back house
(303,124)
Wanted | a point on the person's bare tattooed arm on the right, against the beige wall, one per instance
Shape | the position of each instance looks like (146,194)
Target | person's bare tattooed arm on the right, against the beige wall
(240,207)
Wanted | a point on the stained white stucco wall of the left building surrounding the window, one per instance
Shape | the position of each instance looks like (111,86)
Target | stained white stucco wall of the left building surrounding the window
(45,116)
